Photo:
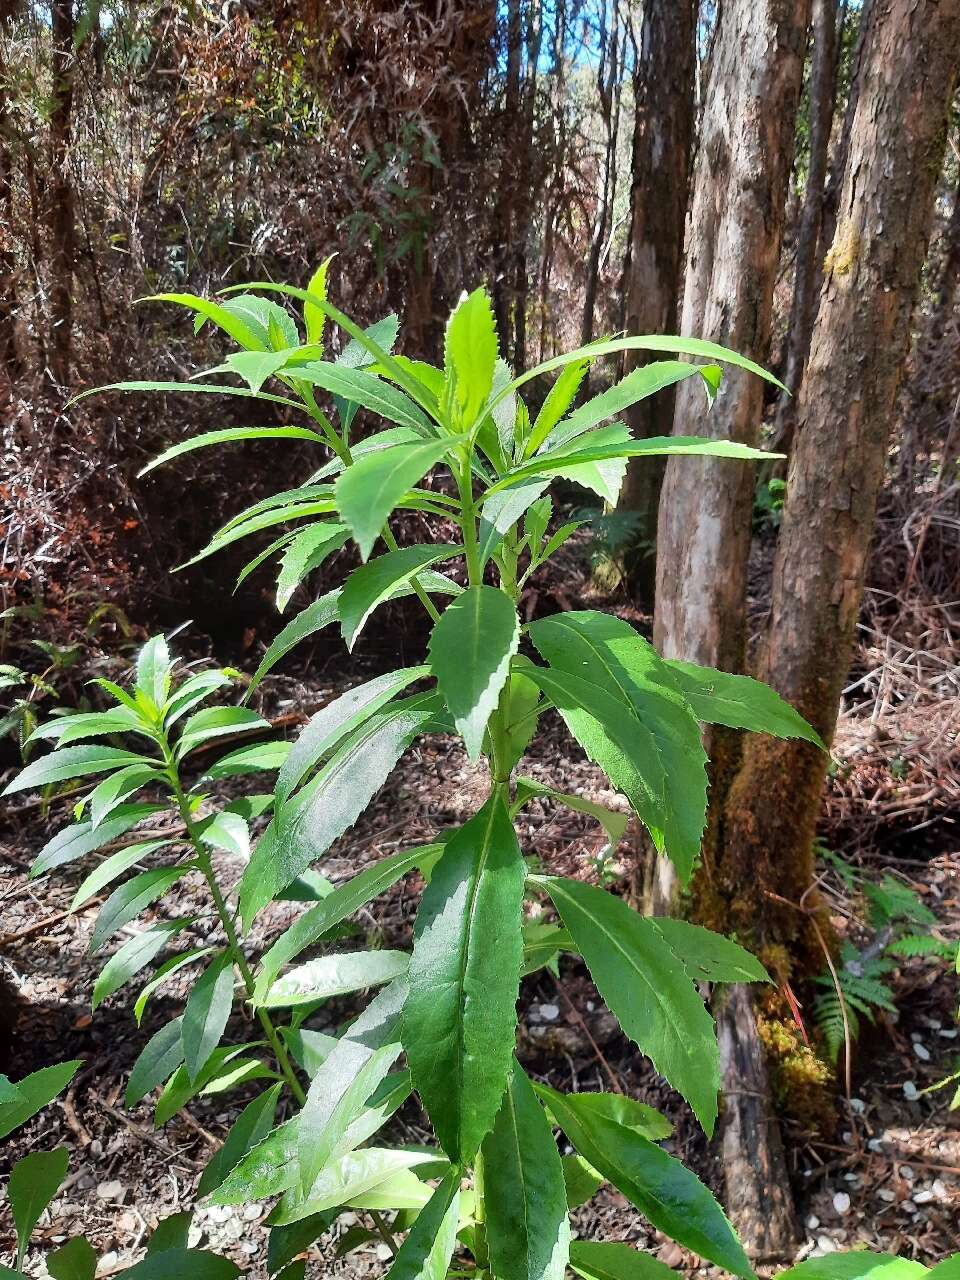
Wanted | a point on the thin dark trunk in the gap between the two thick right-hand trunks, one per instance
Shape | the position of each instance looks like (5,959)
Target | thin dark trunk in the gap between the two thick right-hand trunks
(802,313)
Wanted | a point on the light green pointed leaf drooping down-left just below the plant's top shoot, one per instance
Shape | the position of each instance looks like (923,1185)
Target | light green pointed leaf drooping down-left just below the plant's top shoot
(369,491)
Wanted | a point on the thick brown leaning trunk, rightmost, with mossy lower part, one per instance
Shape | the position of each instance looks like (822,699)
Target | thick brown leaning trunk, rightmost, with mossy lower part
(847,410)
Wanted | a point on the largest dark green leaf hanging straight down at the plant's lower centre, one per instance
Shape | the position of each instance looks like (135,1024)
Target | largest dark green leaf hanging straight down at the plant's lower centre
(460,1018)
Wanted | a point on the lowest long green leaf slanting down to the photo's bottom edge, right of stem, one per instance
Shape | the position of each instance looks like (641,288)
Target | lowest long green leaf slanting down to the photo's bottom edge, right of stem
(673,1199)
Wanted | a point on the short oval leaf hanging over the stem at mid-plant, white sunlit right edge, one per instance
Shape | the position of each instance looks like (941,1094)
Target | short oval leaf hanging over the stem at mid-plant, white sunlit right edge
(470,655)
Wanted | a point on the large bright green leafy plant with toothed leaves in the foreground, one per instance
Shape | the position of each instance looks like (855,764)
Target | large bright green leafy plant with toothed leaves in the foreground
(495,1191)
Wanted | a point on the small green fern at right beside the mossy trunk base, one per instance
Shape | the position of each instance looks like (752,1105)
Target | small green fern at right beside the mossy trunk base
(858,986)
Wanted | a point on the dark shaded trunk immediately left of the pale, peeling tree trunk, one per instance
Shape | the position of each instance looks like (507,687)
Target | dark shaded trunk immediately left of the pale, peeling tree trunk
(664,92)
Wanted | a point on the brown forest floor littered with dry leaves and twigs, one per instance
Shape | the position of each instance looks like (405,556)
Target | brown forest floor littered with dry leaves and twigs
(886,1177)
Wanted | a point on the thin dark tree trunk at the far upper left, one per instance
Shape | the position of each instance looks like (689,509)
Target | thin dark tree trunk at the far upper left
(62,203)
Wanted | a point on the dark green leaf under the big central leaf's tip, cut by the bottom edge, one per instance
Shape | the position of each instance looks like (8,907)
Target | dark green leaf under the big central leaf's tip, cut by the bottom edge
(528,1232)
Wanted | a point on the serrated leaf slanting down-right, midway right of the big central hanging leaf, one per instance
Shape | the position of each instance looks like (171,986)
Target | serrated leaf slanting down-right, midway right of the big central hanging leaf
(646,988)
